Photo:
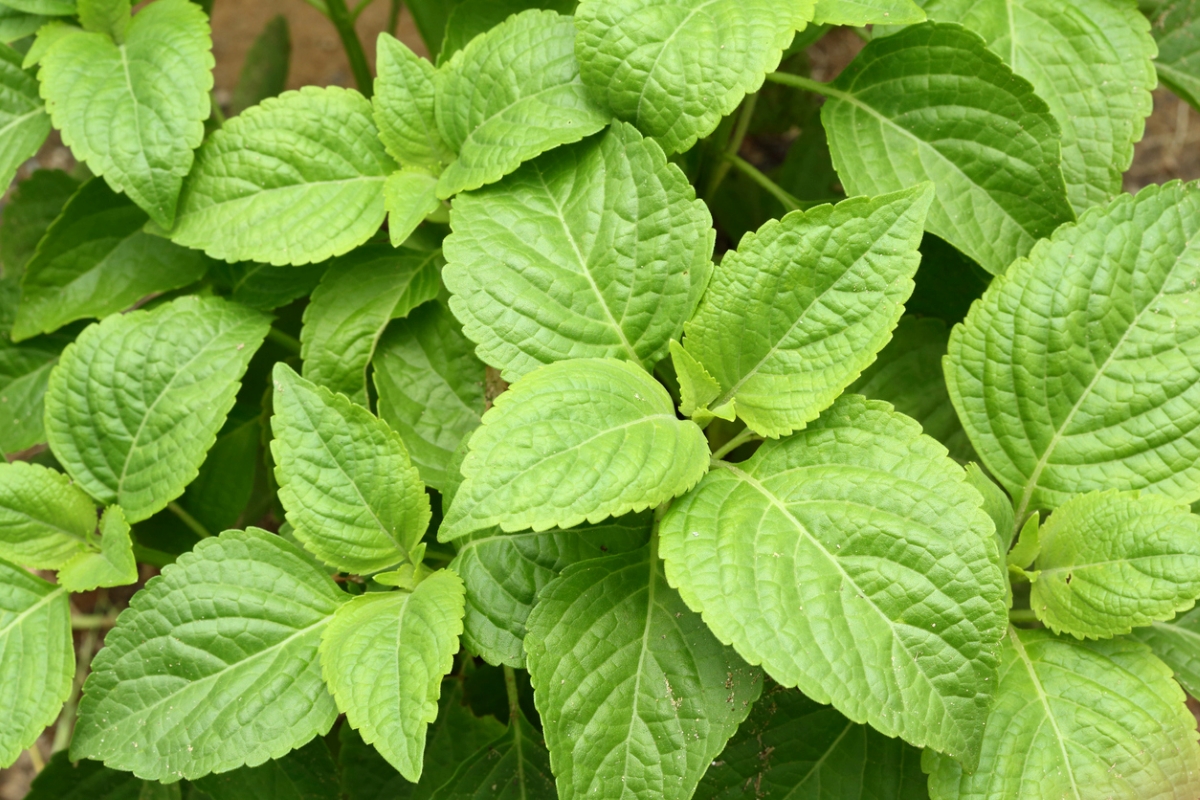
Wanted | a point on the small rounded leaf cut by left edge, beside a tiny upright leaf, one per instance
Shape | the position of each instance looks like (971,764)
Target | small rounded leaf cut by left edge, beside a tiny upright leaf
(45,519)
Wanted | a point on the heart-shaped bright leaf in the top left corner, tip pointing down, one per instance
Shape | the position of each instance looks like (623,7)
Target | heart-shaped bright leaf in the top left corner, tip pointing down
(115,111)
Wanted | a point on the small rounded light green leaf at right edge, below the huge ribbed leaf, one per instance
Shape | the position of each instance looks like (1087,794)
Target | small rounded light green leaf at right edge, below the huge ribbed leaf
(1114,561)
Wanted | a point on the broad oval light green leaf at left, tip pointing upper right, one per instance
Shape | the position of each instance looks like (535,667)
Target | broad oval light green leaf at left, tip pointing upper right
(141,441)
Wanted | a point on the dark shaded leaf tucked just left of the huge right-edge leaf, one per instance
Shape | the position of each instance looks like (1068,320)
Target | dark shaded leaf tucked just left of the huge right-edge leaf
(909,375)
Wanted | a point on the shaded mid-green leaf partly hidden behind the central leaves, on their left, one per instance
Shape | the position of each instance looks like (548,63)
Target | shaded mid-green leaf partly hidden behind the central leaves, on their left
(430,387)
